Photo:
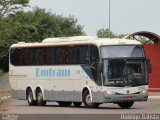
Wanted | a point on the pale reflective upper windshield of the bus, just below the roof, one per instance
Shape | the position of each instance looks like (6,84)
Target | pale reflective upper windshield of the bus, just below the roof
(122,51)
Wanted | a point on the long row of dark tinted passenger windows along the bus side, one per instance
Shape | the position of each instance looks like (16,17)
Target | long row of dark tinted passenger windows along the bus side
(54,55)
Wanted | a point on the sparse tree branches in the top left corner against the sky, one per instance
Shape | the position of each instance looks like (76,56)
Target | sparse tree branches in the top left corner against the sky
(11,6)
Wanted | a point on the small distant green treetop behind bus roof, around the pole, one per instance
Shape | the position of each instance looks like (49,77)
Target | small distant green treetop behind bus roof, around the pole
(104,33)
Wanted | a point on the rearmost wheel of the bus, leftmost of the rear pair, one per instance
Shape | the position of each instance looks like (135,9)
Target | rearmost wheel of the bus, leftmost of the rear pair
(30,99)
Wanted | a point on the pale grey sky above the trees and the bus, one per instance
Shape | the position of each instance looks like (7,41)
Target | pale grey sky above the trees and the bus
(127,16)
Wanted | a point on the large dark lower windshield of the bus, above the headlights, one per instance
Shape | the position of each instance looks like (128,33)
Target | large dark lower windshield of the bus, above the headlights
(123,72)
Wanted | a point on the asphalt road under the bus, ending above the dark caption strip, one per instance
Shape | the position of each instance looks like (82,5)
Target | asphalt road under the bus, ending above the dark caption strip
(21,107)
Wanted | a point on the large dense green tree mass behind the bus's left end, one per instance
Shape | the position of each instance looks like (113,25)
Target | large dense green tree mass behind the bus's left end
(34,26)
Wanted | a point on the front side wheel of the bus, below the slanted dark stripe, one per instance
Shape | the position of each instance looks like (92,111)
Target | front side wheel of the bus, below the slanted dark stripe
(87,101)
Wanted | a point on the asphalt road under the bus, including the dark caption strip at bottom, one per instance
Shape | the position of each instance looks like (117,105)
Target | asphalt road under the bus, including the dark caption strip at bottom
(20,109)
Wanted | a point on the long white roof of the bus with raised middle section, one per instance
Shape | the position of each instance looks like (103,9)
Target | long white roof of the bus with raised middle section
(77,40)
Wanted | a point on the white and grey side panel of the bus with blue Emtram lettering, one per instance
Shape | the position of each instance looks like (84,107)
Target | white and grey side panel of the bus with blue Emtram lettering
(52,80)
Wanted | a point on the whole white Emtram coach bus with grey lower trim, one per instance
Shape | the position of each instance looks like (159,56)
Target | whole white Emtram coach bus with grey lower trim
(78,70)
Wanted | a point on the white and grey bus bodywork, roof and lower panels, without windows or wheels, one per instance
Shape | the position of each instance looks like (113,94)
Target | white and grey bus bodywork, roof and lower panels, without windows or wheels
(66,82)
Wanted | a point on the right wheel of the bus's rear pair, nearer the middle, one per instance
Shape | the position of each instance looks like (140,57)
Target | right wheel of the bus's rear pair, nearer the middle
(39,97)
